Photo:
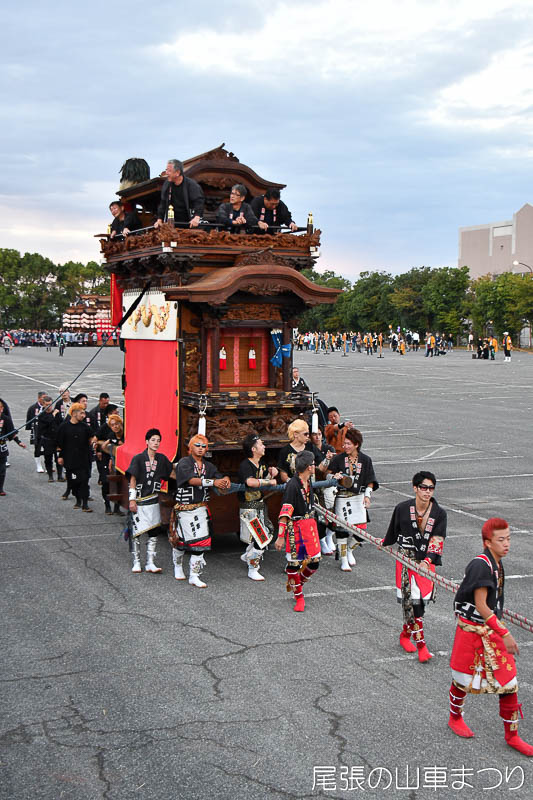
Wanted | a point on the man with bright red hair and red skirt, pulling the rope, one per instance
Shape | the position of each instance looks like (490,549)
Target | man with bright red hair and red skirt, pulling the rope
(483,652)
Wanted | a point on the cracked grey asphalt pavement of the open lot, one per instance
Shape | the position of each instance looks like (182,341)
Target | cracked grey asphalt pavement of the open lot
(137,686)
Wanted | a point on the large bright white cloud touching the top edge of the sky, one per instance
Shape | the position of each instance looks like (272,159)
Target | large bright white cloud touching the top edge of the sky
(334,39)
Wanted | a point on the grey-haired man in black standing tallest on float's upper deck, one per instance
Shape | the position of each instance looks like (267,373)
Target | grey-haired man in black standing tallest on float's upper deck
(183,194)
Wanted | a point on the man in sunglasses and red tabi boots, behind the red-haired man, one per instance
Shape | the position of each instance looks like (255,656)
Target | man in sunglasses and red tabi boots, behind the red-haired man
(418,526)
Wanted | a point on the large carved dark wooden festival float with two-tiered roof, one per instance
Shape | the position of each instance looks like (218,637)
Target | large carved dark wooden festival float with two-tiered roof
(208,348)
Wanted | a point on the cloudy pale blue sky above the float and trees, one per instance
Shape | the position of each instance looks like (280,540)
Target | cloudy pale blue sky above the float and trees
(394,121)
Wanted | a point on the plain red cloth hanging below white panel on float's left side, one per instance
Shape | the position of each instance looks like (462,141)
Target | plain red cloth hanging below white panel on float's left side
(150,397)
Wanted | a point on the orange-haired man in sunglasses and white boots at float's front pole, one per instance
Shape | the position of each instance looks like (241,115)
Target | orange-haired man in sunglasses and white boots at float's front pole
(189,525)
